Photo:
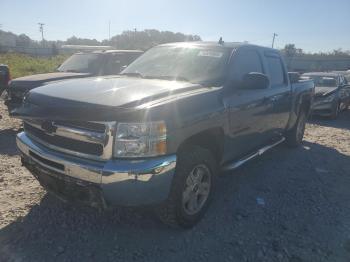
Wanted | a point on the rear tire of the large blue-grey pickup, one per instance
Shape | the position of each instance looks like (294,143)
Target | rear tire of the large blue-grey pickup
(294,137)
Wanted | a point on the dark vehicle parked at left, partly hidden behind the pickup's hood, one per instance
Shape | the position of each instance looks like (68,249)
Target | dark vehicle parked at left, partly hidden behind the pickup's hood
(79,65)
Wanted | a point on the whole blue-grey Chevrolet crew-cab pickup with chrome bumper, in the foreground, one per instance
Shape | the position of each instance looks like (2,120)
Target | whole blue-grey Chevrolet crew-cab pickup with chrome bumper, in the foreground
(159,134)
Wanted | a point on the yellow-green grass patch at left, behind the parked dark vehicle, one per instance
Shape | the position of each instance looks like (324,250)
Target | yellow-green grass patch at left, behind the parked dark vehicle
(23,65)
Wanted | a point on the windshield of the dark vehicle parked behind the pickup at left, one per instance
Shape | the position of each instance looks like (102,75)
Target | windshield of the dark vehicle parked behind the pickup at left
(81,63)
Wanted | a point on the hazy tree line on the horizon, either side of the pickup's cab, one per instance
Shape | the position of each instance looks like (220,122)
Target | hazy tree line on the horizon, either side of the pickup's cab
(145,39)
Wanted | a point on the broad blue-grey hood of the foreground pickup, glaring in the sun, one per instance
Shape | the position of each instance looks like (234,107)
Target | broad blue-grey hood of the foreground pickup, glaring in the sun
(98,98)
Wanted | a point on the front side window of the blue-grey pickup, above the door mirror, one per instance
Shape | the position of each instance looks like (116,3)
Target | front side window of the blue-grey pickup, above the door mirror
(244,62)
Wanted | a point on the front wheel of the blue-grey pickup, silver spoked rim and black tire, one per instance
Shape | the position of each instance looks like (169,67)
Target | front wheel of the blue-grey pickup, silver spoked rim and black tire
(191,189)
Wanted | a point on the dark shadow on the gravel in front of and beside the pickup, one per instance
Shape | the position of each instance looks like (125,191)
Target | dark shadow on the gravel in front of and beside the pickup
(295,185)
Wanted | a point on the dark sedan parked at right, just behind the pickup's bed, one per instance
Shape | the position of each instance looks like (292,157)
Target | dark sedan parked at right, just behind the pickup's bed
(332,93)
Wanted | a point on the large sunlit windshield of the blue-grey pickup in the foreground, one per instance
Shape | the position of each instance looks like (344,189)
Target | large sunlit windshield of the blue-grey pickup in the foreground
(188,63)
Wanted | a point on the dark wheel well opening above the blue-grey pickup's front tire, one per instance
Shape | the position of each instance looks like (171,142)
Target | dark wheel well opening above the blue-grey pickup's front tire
(211,139)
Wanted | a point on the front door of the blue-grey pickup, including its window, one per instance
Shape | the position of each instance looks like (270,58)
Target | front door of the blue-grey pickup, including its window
(249,110)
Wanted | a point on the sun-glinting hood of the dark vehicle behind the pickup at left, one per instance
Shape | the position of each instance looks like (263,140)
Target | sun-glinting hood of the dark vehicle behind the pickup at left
(32,81)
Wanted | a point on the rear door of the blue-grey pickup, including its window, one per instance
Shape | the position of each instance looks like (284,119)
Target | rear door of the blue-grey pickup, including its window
(279,93)
